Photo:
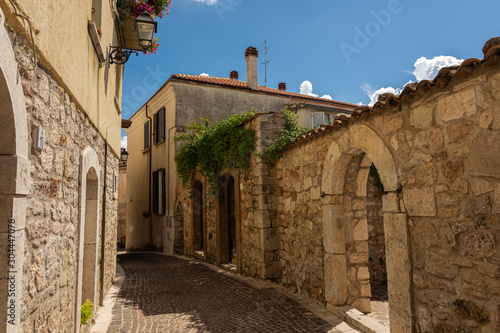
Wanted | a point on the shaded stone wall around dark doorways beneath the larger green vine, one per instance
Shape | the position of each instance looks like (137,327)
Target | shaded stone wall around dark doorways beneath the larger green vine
(256,237)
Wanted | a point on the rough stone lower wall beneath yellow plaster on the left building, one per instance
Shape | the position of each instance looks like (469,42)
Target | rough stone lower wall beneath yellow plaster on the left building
(52,217)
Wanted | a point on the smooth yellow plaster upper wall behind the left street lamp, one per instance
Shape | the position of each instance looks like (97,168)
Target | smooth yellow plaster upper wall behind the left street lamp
(64,47)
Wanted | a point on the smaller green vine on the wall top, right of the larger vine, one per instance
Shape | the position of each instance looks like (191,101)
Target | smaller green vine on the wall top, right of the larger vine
(289,134)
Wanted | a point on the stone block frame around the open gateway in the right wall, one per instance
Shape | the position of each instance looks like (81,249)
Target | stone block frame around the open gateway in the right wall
(358,141)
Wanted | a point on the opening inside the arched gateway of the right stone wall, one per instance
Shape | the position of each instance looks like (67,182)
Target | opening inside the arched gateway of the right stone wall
(364,237)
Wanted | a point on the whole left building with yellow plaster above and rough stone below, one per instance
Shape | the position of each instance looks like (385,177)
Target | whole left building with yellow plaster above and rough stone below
(60,112)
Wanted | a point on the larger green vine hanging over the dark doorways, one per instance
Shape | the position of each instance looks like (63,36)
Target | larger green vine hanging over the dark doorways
(214,147)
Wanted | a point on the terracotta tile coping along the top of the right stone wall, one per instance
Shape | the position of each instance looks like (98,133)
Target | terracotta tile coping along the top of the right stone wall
(491,51)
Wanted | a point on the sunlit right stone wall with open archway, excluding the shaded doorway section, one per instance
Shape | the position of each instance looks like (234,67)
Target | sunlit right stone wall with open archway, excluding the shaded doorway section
(446,172)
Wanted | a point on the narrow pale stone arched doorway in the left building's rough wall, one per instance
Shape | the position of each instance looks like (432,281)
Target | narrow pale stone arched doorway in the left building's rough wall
(88,231)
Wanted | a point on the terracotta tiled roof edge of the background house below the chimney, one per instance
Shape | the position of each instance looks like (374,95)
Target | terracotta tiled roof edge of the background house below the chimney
(233,83)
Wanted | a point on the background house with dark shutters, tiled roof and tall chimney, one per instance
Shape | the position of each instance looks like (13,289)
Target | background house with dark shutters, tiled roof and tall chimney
(181,100)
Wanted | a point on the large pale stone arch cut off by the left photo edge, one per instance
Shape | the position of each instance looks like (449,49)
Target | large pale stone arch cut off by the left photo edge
(14,180)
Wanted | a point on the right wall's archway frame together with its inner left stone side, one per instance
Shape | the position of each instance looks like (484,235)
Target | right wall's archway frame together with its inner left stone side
(345,226)
